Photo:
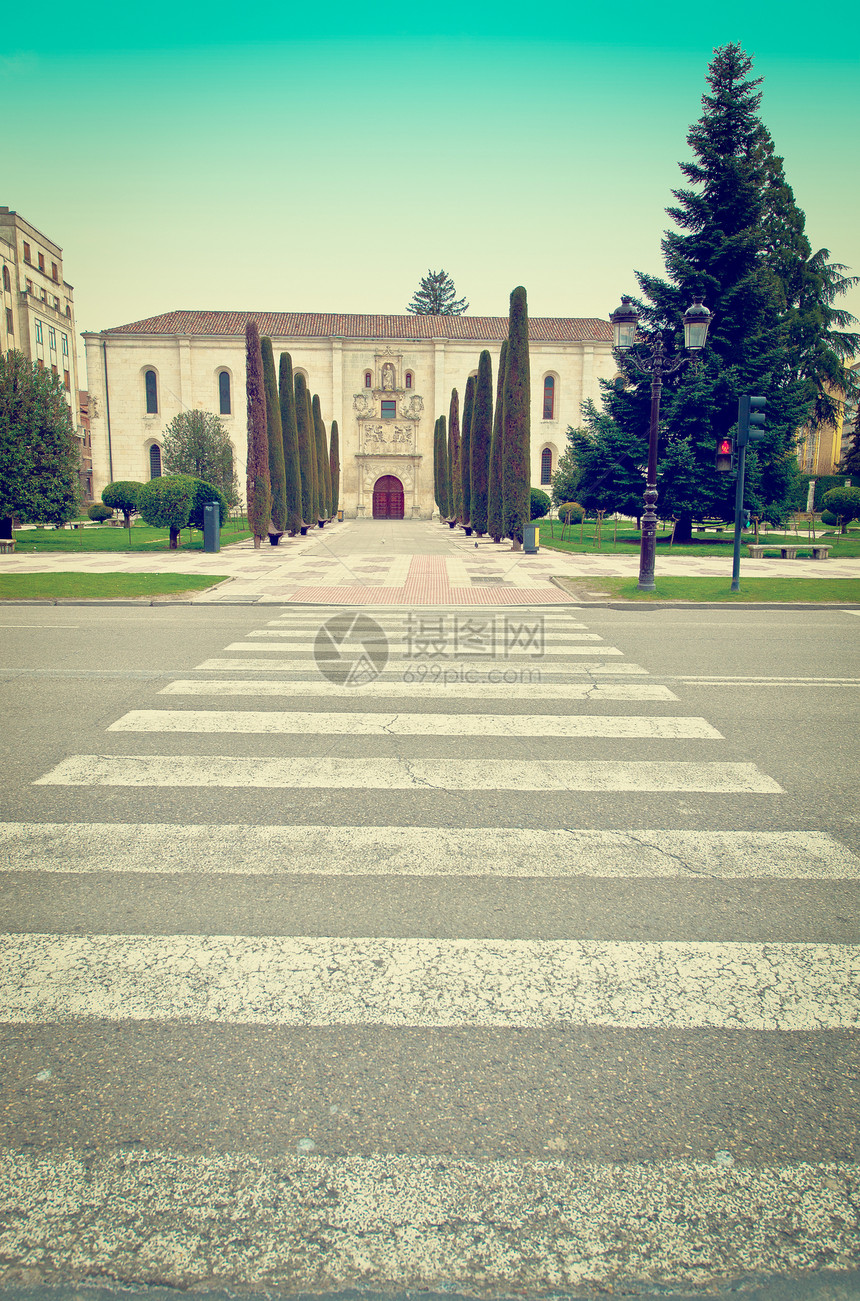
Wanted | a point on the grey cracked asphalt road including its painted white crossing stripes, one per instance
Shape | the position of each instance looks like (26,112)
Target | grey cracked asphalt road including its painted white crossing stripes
(485,1136)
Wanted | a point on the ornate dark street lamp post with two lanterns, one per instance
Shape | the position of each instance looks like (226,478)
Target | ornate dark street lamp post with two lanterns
(625,325)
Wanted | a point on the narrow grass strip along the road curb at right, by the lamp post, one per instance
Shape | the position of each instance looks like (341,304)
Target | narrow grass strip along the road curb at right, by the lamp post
(797,590)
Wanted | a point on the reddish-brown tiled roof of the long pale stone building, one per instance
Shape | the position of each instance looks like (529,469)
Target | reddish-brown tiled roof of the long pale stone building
(334,325)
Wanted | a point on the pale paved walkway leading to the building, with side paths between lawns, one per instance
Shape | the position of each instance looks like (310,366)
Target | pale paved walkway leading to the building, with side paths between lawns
(401,564)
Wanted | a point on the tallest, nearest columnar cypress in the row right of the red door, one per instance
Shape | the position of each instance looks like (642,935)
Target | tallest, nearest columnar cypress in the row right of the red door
(517,422)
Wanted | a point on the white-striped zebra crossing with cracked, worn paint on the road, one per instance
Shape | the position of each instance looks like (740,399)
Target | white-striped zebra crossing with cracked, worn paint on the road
(560,1041)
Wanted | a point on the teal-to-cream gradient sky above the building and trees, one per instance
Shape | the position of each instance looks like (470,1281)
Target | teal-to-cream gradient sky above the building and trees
(283,158)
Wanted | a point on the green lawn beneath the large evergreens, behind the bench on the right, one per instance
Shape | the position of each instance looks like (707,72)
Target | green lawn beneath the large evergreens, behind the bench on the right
(626,542)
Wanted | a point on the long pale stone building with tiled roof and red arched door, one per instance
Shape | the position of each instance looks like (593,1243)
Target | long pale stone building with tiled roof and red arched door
(384,379)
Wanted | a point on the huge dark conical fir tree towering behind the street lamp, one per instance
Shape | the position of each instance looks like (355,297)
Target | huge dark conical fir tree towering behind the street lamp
(721,252)
